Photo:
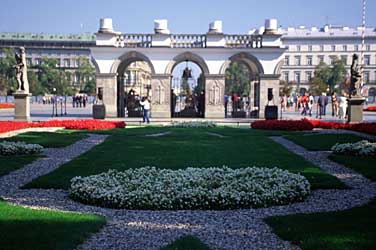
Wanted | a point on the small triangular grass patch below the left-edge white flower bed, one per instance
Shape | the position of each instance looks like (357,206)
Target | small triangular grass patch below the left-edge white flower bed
(11,163)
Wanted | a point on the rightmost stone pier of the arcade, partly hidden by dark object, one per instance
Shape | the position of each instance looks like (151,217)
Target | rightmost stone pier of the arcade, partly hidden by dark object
(268,81)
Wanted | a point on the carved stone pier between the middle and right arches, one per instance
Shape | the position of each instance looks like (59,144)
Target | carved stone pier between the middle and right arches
(214,96)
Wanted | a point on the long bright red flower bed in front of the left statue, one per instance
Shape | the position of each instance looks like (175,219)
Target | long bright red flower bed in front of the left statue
(68,124)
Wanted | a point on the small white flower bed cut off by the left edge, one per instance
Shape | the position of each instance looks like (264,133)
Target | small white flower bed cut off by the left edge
(19,148)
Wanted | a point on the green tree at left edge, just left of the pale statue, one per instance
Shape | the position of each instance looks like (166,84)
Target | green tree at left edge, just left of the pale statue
(8,82)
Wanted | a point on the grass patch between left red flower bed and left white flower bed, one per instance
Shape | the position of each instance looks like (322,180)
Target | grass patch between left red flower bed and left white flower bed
(58,139)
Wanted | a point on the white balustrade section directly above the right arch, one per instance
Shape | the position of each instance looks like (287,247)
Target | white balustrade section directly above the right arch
(244,41)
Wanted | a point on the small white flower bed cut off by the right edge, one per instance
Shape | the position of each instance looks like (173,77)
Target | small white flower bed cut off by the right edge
(359,148)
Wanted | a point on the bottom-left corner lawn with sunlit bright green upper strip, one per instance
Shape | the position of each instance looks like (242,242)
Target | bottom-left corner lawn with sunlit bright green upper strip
(29,229)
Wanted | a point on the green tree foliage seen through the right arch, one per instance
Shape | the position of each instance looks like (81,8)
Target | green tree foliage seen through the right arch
(237,79)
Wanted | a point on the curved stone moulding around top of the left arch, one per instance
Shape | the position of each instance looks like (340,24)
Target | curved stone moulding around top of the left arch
(127,58)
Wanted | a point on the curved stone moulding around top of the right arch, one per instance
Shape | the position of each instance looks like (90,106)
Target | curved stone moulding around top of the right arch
(251,61)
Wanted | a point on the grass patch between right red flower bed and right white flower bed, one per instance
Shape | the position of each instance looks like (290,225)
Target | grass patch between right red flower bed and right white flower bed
(321,142)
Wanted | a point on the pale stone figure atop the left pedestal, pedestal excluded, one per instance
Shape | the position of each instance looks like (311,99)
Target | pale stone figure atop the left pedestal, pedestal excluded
(21,71)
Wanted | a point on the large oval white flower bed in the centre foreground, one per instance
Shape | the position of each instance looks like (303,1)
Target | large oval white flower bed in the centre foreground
(191,188)
